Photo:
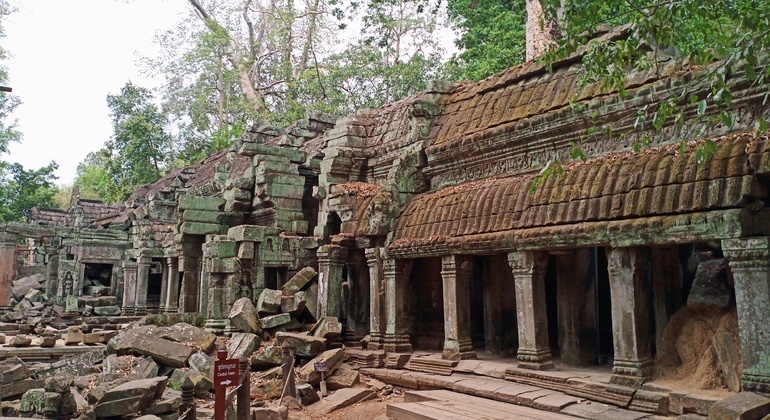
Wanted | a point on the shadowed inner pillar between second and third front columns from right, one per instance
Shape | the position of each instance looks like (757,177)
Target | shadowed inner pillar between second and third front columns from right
(576,307)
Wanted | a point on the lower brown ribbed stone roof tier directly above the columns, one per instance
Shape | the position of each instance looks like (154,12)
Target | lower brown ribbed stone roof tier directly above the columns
(618,186)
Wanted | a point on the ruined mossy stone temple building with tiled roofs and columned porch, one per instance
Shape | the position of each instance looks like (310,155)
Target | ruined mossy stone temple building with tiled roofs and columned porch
(427,234)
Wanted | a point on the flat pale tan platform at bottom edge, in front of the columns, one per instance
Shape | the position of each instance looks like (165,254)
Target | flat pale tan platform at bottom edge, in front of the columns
(425,405)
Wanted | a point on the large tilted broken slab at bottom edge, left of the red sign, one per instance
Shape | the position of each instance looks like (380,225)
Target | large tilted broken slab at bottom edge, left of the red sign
(130,397)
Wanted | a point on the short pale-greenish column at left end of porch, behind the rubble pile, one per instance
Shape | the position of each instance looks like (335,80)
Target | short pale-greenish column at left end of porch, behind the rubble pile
(331,260)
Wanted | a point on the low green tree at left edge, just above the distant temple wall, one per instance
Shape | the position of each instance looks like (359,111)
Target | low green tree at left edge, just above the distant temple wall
(22,189)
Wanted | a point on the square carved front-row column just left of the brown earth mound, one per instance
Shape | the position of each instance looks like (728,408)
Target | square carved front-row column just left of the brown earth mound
(627,269)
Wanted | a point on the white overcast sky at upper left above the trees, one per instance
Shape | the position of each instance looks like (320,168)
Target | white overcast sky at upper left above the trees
(66,57)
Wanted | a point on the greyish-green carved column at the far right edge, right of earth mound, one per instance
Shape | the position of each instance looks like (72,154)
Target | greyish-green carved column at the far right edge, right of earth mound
(750,266)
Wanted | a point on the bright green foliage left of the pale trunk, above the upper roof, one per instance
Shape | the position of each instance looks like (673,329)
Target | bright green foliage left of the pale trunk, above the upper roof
(491,36)
